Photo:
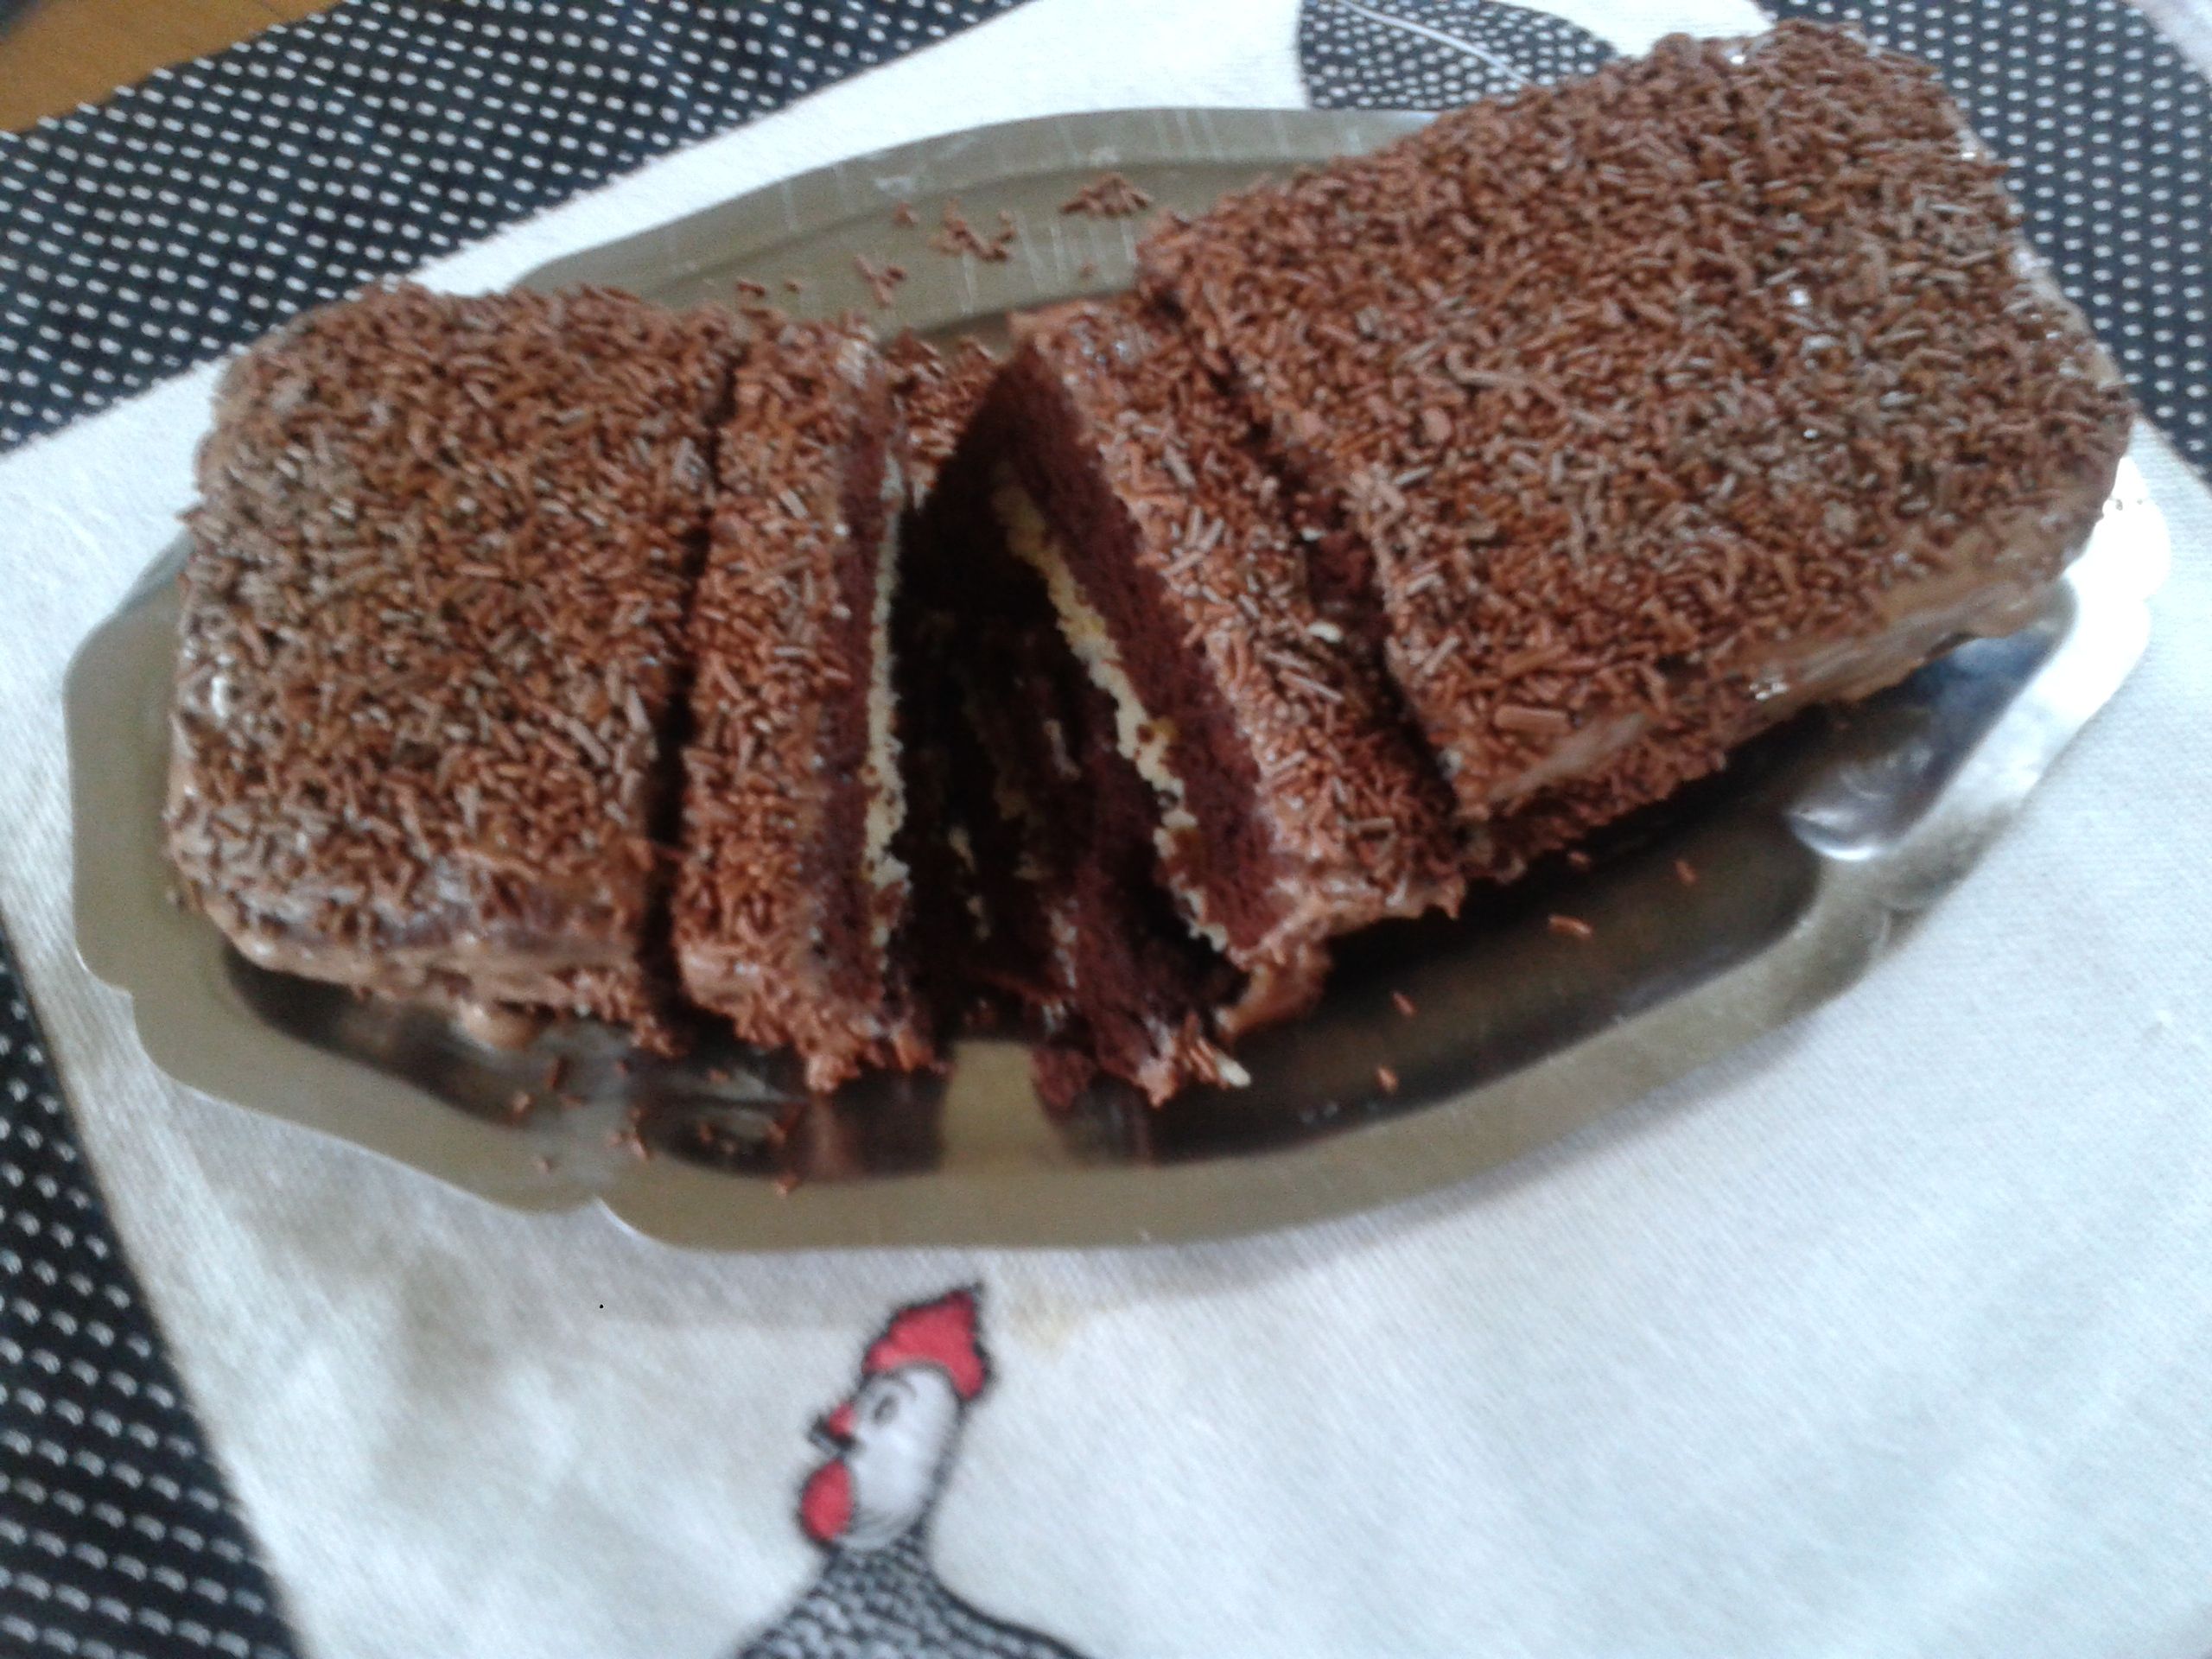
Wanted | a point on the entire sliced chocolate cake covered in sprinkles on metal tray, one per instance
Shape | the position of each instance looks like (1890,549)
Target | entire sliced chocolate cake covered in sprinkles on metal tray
(1417,517)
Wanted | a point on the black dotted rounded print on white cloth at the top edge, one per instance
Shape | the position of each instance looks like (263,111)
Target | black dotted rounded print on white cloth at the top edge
(1432,54)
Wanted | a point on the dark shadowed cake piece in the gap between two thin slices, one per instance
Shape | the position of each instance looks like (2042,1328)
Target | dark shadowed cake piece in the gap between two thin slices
(1052,921)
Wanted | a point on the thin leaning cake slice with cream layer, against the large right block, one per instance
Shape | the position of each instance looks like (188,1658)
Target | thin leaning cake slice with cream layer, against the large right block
(1288,802)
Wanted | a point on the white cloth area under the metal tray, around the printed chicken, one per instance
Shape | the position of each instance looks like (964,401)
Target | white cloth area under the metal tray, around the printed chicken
(1888,1335)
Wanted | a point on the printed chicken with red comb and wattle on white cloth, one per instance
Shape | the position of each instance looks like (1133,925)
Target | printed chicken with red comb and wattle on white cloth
(868,1507)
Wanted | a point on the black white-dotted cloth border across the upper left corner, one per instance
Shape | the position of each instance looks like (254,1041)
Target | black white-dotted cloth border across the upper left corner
(211,202)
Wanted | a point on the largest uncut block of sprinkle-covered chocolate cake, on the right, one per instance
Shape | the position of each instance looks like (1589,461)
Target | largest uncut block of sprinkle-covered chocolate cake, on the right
(1658,406)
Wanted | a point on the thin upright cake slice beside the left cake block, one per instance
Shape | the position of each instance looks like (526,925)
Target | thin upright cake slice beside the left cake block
(793,893)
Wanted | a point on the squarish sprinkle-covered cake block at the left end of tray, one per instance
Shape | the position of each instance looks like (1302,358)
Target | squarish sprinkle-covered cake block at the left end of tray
(432,636)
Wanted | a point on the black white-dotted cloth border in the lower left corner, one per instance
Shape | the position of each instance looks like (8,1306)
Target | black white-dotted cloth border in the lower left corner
(116,1534)
